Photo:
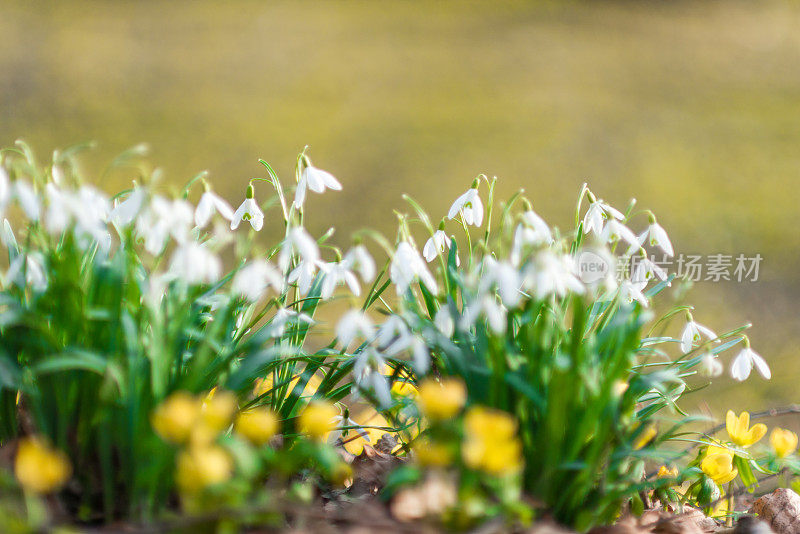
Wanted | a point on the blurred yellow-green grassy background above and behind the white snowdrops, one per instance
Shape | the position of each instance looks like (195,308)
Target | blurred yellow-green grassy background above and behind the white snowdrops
(691,107)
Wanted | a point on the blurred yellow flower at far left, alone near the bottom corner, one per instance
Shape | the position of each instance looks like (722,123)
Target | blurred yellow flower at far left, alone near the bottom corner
(40,468)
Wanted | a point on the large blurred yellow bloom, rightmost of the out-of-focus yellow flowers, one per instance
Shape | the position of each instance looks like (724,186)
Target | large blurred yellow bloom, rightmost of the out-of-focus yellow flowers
(491,444)
